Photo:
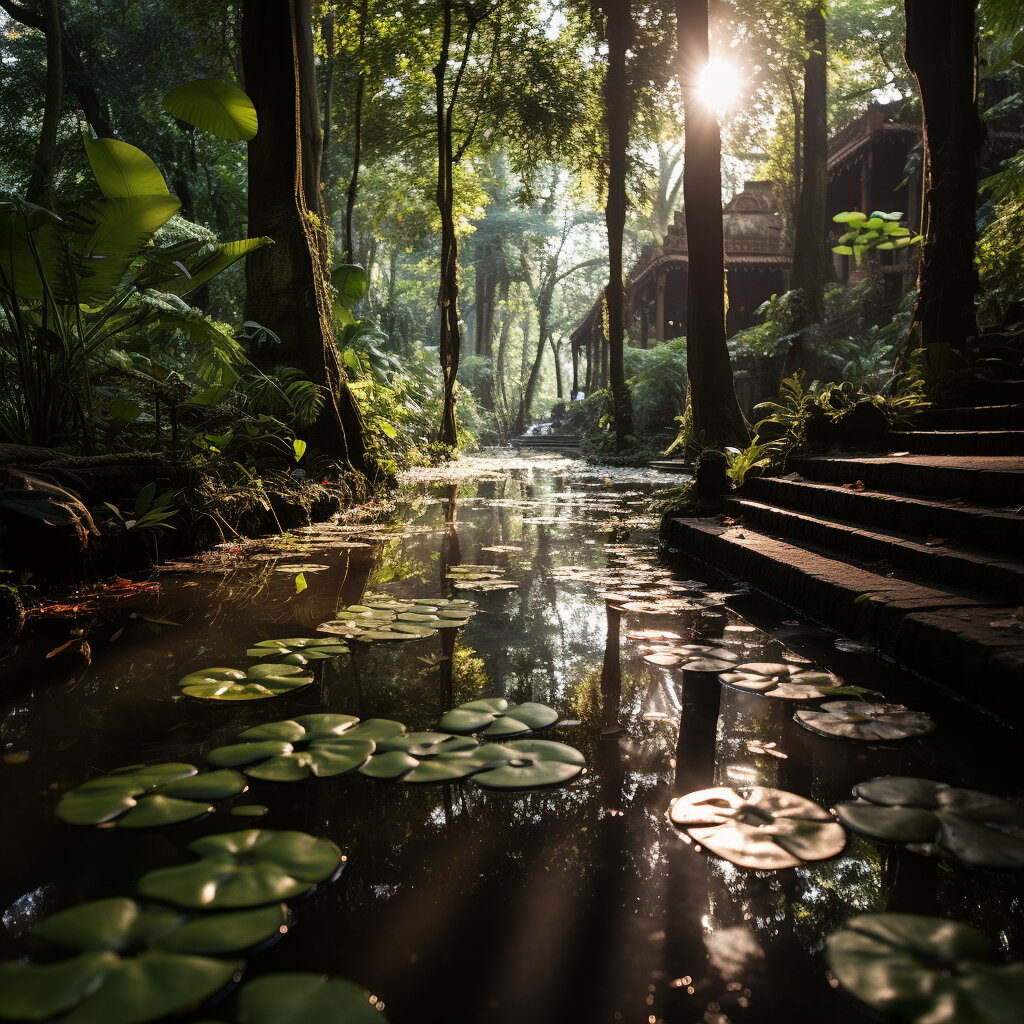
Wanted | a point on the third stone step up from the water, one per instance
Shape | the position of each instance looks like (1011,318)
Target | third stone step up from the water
(977,526)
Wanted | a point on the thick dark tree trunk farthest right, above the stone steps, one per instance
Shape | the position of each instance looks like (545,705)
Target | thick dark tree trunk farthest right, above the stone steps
(941,53)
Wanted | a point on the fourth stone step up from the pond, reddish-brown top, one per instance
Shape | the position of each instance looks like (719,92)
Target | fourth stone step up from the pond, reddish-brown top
(997,481)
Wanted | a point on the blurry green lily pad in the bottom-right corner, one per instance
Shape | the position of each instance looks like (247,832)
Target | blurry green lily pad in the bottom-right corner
(926,970)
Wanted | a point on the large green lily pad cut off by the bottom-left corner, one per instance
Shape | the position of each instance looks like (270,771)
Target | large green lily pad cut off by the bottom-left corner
(105,989)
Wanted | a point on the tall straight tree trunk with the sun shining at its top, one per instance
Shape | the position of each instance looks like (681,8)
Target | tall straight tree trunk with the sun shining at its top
(717,419)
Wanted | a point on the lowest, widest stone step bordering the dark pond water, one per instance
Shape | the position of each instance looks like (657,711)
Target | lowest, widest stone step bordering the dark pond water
(971,647)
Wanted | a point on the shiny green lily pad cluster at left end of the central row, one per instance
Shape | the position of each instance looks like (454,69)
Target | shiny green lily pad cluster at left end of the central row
(293,750)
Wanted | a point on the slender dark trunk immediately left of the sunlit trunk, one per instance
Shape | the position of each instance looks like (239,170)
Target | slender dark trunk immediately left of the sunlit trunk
(619,31)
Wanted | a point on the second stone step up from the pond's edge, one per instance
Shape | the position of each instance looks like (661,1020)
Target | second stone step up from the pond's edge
(991,574)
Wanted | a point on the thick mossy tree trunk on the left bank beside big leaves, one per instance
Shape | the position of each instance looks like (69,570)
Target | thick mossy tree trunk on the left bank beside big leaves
(286,284)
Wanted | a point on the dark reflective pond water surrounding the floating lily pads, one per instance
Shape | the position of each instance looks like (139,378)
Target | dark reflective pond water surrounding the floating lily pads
(579,904)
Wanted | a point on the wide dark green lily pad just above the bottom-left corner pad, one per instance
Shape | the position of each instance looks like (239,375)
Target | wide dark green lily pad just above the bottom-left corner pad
(119,925)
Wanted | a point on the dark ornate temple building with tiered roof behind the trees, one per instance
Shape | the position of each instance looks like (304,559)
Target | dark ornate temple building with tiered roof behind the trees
(868,170)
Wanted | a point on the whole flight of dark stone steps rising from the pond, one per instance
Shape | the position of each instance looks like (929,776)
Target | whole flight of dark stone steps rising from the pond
(919,550)
